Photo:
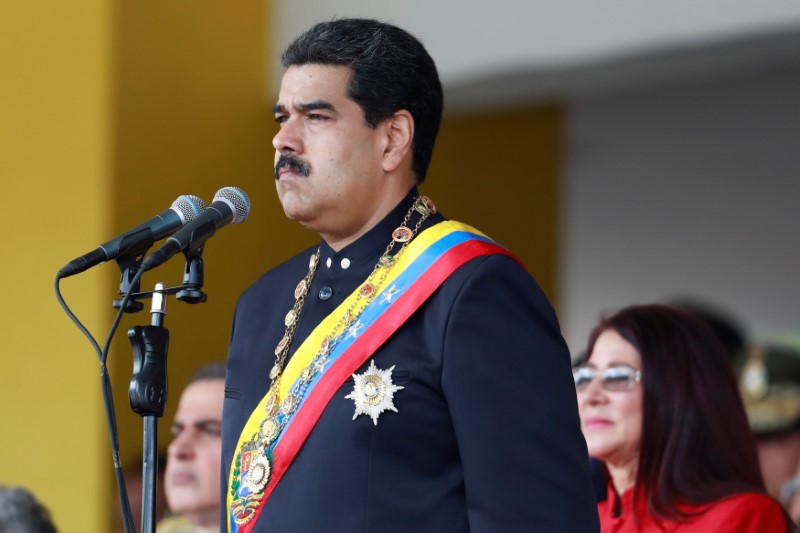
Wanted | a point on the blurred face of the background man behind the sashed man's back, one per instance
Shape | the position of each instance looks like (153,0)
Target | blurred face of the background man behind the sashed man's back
(192,478)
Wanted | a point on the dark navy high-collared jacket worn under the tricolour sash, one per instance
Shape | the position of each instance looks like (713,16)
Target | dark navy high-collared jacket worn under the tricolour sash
(486,437)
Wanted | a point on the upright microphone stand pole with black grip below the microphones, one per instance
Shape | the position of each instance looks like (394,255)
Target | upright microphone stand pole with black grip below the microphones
(148,394)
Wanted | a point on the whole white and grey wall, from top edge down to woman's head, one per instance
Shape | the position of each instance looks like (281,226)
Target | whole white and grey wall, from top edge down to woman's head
(683,136)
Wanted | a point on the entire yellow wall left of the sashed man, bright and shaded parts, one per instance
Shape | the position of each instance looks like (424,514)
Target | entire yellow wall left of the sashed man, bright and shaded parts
(108,111)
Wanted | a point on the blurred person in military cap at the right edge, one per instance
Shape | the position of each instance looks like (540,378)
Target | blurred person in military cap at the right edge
(769,380)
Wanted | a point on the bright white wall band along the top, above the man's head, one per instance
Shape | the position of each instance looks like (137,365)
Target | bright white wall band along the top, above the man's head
(469,38)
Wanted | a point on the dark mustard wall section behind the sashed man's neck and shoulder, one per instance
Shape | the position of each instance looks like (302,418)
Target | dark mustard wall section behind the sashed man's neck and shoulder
(499,171)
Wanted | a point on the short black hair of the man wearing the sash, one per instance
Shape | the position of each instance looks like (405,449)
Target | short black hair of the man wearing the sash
(391,71)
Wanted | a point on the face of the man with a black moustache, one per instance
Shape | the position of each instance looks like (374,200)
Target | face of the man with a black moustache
(328,162)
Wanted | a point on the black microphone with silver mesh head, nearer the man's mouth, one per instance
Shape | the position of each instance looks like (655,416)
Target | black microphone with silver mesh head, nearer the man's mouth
(230,206)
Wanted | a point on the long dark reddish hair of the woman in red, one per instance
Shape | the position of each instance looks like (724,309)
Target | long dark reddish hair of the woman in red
(696,445)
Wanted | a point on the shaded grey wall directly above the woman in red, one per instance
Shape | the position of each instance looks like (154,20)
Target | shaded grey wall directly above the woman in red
(687,190)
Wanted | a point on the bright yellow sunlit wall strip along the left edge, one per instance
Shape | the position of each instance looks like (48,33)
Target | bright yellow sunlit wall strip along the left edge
(54,161)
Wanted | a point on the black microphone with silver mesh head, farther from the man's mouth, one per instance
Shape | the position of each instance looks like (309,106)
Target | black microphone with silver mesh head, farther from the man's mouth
(182,211)
